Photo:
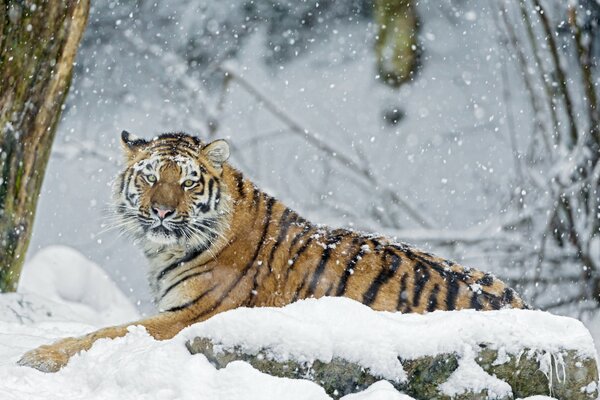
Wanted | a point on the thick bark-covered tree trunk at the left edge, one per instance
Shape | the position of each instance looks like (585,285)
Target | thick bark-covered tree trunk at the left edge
(38,43)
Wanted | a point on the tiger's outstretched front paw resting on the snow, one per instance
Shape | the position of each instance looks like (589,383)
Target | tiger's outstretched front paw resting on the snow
(51,358)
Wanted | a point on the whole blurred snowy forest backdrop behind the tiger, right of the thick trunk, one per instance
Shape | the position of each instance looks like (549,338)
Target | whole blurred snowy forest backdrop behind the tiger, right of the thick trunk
(481,145)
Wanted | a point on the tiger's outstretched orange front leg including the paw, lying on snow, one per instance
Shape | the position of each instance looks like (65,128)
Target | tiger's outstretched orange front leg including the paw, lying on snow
(52,357)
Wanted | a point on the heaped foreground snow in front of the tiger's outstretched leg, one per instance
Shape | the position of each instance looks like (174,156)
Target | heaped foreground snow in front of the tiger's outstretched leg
(138,367)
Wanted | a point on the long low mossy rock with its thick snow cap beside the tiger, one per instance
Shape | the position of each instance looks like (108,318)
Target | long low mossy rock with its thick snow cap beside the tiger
(346,346)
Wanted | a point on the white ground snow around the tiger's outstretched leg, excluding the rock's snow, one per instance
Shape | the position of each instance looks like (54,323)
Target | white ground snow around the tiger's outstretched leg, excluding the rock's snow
(80,298)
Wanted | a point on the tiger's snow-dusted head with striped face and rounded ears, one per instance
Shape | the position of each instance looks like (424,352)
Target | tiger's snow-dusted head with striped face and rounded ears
(171,192)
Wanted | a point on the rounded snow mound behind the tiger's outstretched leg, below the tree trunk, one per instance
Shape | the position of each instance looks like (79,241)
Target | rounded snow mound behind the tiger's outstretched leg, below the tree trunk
(62,275)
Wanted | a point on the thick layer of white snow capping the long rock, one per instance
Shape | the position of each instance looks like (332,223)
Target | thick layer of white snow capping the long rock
(338,327)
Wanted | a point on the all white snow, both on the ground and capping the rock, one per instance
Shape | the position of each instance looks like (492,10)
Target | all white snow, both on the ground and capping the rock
(73,296)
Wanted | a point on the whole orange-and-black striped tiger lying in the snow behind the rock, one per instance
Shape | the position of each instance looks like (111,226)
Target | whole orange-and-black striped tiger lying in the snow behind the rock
(215,241)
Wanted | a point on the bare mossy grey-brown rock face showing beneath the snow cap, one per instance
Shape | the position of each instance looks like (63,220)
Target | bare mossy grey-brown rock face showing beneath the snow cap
(565,376)
